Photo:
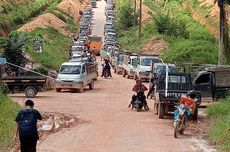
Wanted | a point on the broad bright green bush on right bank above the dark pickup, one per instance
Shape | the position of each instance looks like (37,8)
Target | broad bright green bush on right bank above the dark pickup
(193,51)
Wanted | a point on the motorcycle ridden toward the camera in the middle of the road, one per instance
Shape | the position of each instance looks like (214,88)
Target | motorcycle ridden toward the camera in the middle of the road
(138,103)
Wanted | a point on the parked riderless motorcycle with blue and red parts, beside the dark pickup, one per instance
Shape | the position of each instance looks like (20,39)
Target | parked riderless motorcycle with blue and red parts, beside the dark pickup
(181,115)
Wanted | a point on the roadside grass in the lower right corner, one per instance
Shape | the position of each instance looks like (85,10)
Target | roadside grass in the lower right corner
(219,133)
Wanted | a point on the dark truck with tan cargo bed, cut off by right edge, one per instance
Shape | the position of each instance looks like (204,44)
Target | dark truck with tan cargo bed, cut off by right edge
(214,82)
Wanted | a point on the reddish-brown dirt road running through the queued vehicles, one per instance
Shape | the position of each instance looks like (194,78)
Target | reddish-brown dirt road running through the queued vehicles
(105,122)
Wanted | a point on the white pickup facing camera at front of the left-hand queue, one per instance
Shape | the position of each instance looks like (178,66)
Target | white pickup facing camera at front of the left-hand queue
(76,75)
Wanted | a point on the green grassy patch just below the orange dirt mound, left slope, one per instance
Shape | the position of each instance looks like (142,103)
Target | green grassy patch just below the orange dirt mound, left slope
(55,47)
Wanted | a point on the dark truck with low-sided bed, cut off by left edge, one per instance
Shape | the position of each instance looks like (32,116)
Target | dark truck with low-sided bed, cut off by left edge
(26,82)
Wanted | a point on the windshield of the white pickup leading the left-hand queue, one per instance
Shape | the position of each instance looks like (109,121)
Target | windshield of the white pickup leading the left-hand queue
(70,69)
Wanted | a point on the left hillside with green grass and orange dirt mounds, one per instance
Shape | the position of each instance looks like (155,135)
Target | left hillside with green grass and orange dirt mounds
(46,20)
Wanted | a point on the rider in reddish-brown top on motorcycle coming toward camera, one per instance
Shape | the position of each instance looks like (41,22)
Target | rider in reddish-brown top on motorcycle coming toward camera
(142,88)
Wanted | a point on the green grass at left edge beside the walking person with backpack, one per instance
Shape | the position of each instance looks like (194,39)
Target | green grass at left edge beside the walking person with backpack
(8,111)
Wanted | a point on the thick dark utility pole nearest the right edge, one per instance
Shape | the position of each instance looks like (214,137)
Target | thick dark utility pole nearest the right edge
(221,55)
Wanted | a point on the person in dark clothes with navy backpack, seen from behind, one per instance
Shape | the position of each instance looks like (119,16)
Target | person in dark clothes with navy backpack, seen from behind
(27,127)
